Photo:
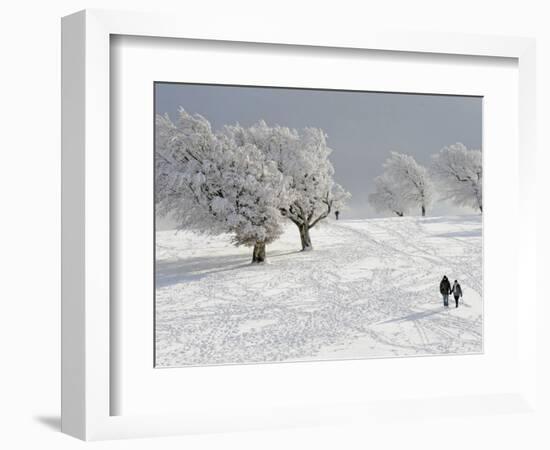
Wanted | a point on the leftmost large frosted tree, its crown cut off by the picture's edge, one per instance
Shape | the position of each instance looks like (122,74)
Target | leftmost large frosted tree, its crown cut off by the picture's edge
(212,184)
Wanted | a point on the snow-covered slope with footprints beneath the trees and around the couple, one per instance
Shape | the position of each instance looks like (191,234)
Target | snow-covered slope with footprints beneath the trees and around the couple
(370,288)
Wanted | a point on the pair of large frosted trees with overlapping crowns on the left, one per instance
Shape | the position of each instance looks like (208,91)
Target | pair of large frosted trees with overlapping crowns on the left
(244,181)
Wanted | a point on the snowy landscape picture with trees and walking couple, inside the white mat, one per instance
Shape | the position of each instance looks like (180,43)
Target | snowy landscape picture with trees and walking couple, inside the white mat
(316,239)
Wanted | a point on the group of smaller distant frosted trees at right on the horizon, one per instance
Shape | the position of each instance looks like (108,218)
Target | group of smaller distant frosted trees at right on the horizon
(406,185)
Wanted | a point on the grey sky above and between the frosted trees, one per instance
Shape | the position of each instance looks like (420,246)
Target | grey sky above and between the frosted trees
(362,127)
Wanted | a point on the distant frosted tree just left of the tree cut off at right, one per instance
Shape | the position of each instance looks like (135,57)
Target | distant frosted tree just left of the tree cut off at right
(413,180)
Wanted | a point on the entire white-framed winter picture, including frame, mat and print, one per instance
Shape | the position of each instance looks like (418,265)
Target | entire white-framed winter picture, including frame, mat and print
(263,229)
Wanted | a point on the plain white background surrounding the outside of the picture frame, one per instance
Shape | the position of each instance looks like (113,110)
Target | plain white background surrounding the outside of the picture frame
(29,229)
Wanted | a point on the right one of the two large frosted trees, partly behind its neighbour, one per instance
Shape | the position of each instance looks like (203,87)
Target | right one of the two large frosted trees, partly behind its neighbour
(302,157)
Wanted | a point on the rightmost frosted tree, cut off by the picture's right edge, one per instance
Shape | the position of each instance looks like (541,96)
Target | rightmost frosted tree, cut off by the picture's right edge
(460,175)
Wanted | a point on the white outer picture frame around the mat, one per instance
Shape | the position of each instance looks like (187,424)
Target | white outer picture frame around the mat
(86,284)
